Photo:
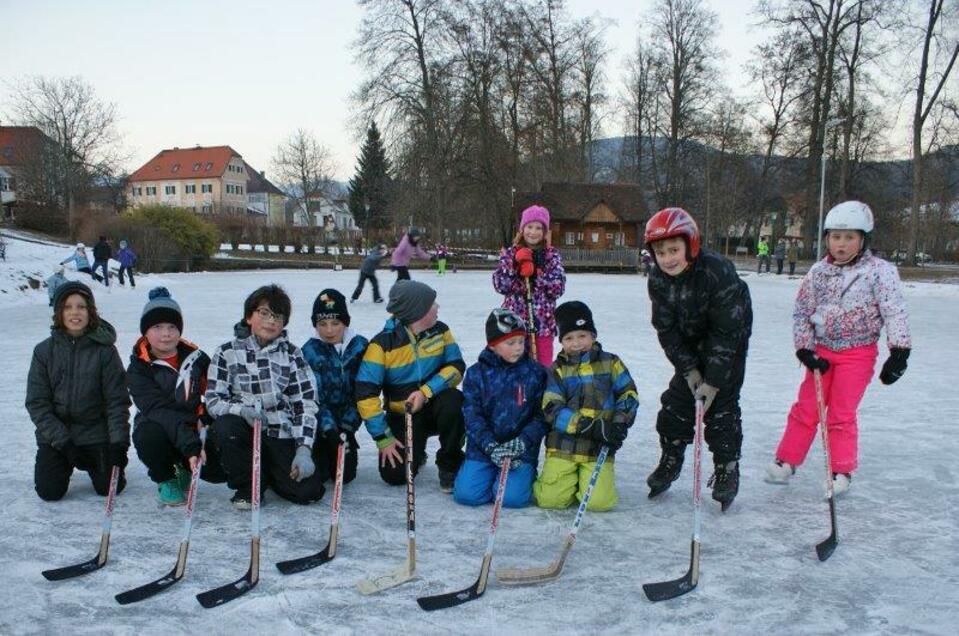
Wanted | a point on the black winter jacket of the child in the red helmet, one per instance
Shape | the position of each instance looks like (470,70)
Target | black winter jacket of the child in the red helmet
(703,317)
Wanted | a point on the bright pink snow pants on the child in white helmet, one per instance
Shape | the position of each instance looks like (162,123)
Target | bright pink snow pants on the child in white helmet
(843,387)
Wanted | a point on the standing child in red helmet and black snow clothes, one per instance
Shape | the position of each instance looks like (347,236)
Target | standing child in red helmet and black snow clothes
(703,316)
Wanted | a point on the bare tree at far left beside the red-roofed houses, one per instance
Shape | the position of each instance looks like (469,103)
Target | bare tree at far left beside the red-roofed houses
(82,127)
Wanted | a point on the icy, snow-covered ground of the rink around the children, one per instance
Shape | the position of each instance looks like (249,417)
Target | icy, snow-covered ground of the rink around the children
(895,570)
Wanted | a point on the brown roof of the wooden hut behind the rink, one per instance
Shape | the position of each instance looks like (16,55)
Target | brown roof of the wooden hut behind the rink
(573,201)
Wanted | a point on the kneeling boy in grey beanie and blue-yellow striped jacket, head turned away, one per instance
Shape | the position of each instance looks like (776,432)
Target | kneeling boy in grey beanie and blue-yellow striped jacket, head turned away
(414,360)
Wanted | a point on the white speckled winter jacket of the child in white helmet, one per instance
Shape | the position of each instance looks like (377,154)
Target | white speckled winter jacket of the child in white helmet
(845,307)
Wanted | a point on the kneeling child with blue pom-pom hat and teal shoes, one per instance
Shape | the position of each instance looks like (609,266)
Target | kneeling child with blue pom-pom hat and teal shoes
(167,379)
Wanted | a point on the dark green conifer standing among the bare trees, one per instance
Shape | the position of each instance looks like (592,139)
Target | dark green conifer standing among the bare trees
(369,189)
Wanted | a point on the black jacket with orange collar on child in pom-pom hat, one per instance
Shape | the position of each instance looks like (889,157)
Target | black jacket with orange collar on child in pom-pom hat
(168,396)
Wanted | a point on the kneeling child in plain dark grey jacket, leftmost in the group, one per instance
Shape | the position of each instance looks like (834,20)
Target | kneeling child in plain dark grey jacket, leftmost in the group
(77,398)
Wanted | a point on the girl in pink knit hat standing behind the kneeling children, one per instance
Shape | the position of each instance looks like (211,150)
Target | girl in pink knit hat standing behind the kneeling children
(532,263)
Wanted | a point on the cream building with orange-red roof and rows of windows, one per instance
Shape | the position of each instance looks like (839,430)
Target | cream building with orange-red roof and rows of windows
(210,180)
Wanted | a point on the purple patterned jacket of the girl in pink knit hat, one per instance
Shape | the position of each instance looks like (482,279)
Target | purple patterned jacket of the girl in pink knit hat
(548,284)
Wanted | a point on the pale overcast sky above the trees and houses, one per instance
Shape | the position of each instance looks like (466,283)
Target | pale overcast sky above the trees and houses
(247,73)
